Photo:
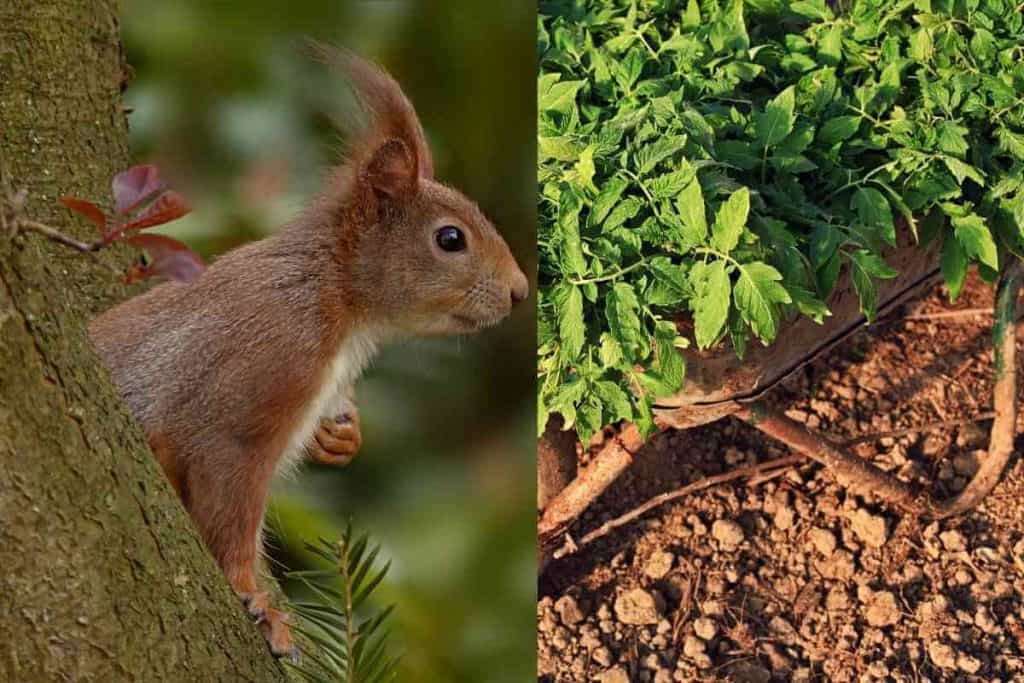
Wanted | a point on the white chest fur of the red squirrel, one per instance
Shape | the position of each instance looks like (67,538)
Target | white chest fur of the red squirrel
(353,357)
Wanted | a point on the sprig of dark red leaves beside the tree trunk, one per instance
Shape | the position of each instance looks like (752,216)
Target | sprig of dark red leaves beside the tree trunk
(142,200)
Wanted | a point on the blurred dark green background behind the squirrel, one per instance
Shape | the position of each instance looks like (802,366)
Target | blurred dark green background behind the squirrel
(227,104)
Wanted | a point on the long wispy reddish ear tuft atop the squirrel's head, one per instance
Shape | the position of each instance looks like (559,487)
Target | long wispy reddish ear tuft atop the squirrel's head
(391,117)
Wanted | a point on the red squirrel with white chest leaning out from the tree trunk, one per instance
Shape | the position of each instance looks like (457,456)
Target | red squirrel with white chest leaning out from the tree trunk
(253,364)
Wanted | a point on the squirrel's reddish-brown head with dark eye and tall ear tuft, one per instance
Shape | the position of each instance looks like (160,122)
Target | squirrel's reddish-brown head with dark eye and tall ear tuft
(425,258)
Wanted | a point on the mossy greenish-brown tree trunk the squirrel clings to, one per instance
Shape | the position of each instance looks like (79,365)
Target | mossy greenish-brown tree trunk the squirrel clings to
(102,575)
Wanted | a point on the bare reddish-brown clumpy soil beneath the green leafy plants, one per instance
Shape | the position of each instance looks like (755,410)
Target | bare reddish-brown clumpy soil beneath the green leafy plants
(794,579)
